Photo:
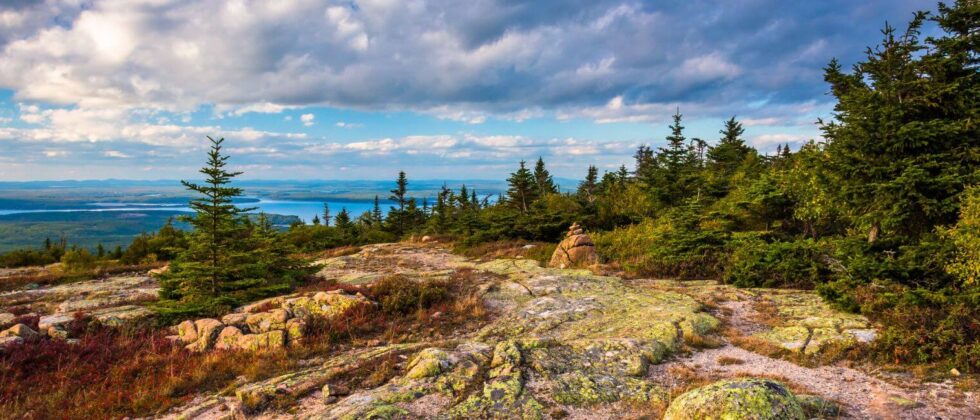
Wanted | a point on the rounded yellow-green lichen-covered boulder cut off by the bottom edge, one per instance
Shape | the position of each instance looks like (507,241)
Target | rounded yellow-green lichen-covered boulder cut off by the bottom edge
(748,398)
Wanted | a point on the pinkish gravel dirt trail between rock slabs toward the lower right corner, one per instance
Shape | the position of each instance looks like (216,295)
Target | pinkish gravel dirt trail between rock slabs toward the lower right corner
(861,394)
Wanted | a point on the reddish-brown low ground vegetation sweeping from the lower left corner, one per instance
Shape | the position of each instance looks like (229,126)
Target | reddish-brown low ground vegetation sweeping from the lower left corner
(112,373)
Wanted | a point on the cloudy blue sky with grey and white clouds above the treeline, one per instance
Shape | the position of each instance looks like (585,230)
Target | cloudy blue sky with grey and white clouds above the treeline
(442,89)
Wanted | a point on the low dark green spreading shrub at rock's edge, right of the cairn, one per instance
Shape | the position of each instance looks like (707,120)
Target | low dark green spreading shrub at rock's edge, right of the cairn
(754,262)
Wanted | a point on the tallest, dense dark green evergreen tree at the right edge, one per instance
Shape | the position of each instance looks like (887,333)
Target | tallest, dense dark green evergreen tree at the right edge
(904,137)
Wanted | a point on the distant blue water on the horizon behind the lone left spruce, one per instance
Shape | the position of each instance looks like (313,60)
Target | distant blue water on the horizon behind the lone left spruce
(305,210)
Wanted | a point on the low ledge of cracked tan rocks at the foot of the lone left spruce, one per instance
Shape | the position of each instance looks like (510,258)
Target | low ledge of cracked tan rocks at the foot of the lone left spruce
(269,324)
